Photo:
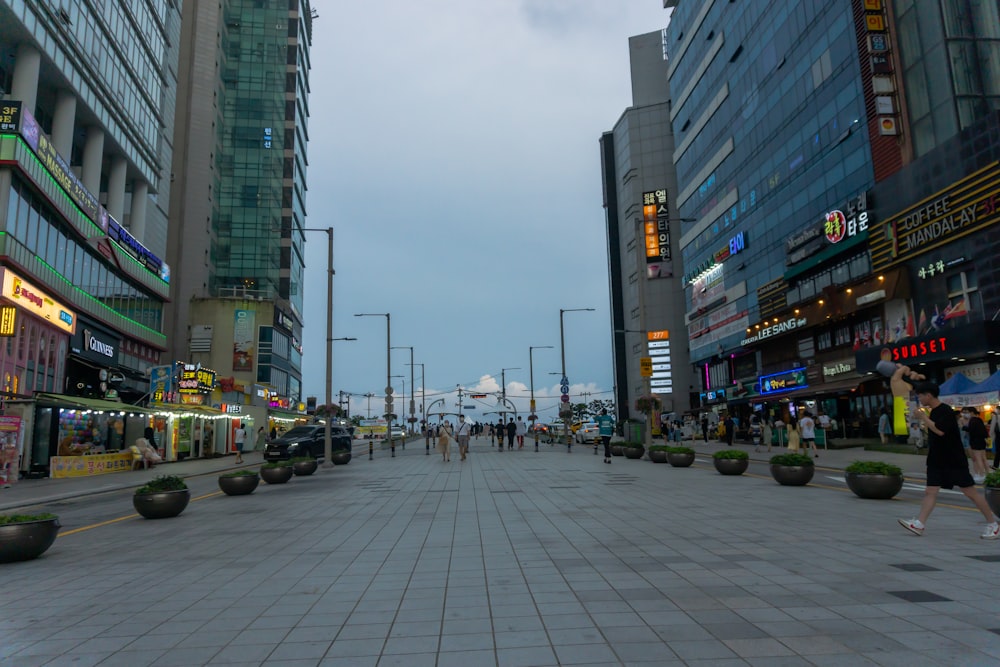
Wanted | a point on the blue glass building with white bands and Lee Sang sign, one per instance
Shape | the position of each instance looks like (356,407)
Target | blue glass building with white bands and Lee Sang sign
(768,109)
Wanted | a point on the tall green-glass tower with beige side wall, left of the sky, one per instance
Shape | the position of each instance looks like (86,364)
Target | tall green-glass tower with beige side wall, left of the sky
(239,206)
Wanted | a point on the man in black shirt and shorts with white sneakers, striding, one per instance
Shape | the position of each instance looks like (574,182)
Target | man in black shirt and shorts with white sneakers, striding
(946,463)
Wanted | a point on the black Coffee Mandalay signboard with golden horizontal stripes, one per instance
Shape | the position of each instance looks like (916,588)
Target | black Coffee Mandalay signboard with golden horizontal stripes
(967,205)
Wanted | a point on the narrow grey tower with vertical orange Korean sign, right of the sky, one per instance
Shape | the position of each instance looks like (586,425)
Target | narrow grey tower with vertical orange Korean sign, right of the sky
(640,195)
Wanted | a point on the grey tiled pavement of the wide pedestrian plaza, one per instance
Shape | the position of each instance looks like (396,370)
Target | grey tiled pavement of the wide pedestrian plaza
(505,559)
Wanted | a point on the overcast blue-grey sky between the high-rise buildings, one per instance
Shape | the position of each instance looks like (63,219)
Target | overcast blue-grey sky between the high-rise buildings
(454,149)
